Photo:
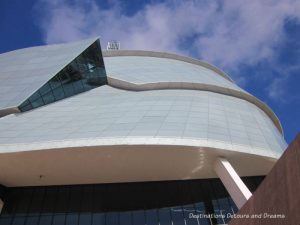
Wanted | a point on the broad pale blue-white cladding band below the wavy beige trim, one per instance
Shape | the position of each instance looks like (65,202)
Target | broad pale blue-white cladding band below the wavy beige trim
(106,112)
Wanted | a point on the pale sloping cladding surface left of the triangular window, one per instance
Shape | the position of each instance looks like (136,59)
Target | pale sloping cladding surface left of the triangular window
(24,71)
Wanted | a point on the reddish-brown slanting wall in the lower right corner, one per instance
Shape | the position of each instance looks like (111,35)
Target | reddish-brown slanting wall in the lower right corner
(277,199)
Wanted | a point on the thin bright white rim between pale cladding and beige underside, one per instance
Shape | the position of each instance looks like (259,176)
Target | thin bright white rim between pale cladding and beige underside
(139,141)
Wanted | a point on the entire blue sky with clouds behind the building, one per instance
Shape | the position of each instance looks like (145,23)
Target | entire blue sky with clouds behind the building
(256,42)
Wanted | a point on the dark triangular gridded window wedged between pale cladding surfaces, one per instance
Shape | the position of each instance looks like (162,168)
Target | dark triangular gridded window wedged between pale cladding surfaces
(85,72)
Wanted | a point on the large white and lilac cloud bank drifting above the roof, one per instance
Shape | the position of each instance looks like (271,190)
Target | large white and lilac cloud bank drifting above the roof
(225,33)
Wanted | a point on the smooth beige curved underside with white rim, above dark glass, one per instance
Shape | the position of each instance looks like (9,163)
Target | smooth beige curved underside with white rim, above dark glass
(108,161)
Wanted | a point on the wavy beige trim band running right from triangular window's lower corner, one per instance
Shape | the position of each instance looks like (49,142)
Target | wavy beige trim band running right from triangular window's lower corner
(121,84)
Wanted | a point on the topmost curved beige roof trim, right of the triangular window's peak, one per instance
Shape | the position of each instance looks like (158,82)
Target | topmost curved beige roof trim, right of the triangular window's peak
(168,56)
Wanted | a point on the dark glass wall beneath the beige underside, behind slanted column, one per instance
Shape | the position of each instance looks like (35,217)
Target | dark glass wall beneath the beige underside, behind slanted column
(151,203)
